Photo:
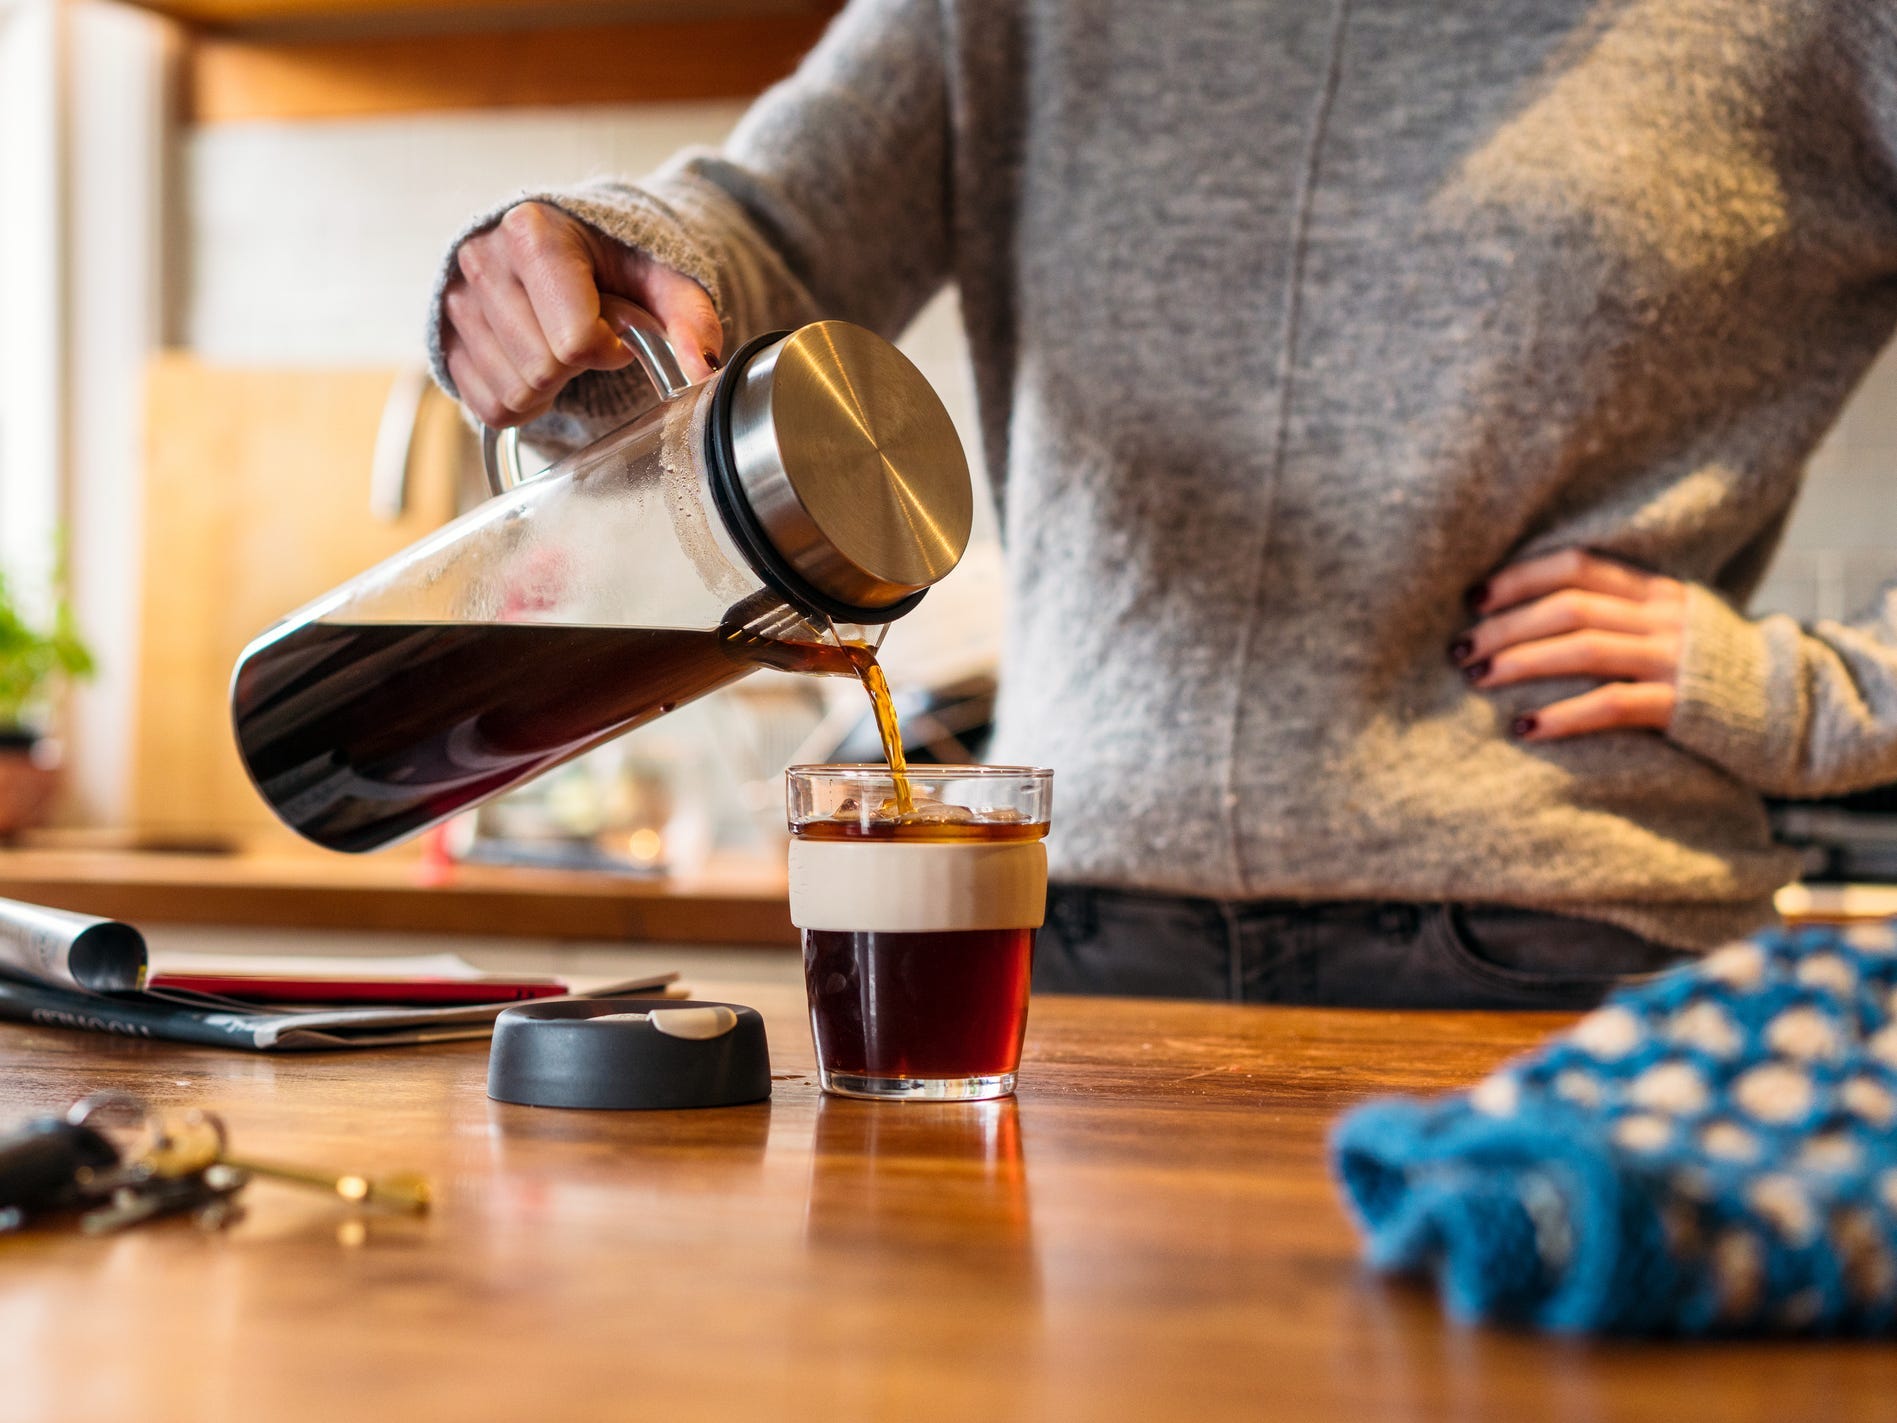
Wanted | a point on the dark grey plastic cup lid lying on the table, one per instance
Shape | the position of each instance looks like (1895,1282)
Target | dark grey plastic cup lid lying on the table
(629,1054)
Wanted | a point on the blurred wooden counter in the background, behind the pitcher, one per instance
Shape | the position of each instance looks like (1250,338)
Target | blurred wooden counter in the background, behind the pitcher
(731,900)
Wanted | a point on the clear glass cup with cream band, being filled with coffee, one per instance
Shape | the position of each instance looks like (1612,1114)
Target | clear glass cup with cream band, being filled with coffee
(919,931)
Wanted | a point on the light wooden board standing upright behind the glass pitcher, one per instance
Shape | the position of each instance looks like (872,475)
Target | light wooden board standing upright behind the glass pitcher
(259,498)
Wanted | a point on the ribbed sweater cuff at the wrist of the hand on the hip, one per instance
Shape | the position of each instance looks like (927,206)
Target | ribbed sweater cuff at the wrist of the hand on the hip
(1739,692)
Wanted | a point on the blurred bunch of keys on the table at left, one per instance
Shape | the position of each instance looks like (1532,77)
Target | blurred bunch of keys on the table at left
(174,1162)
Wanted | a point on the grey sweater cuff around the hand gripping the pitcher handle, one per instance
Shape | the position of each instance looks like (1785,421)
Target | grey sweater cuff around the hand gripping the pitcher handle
(599,399)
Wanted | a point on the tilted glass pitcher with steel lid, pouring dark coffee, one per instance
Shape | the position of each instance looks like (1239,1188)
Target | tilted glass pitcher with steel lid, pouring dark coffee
(794,504)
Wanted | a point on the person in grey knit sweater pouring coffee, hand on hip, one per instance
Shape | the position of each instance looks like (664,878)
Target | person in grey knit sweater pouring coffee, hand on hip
(1391,411)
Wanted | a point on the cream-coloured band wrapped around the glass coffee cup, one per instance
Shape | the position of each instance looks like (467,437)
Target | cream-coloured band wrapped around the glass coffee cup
(870,887)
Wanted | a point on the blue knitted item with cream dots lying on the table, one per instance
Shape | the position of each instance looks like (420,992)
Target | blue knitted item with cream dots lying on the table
(1710,1153)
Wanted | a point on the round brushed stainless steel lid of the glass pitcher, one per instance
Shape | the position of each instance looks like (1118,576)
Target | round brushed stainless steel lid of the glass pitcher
(851,466)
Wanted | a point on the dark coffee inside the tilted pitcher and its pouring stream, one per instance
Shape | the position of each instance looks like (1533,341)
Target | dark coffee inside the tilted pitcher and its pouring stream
(365,733)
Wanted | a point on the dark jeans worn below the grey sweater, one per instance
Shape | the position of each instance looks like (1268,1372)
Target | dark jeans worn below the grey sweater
(1340,955)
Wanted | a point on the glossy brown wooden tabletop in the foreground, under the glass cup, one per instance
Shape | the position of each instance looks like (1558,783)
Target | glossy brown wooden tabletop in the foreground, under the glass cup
(1147,1232)
